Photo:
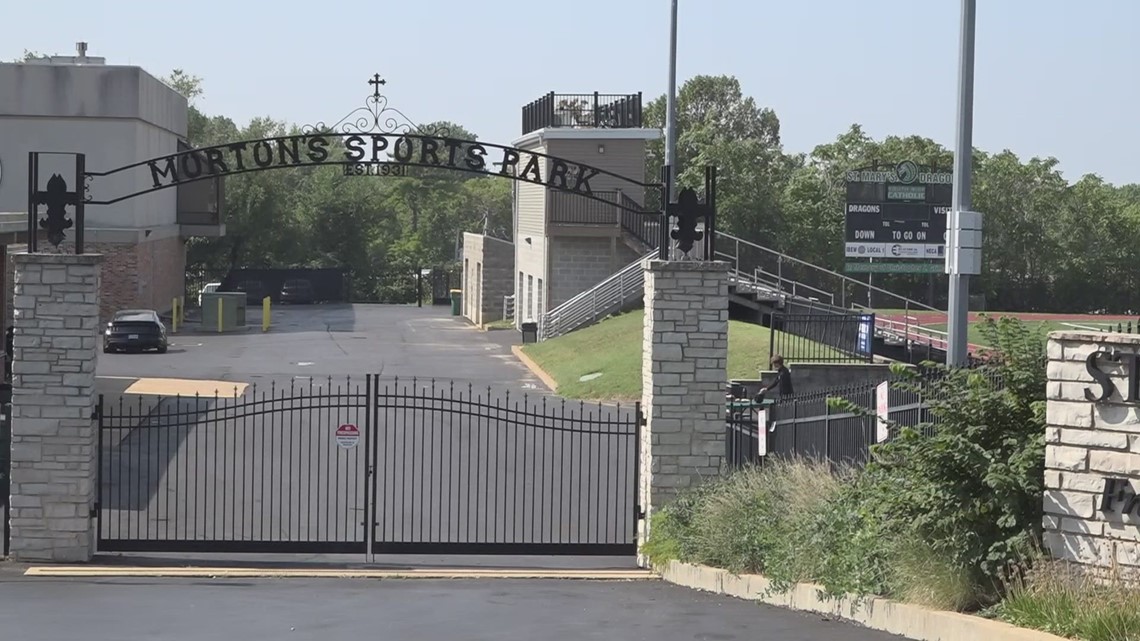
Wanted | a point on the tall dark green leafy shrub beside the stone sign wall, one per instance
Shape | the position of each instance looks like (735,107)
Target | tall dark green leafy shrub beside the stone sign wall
(968,486)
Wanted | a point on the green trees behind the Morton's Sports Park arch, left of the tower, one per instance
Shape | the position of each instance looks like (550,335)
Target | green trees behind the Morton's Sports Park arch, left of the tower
(382,230)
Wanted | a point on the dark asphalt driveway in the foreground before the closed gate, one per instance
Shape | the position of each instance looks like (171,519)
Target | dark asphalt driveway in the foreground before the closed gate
(400,611)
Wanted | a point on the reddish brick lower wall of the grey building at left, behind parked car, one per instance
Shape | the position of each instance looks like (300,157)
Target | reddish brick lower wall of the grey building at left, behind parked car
(148,275)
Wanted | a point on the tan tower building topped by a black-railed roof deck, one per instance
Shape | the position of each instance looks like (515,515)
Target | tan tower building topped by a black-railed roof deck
(564,244)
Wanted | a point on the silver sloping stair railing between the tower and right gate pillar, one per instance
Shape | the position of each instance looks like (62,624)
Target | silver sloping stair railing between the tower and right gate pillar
(616,294)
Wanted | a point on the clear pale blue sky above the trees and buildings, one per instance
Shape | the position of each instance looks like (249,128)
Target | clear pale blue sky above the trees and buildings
(1056,78)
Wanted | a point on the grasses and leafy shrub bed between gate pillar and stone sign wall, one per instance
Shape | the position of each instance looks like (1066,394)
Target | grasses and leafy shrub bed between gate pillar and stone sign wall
(942,516)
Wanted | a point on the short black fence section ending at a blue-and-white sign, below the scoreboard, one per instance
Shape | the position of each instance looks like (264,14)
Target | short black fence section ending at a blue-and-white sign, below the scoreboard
(824,338)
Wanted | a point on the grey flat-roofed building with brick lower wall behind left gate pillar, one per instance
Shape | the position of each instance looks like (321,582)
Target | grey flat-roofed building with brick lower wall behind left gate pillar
(117,116)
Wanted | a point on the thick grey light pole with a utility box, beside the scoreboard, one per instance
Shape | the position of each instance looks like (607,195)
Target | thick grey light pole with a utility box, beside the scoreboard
(964,226)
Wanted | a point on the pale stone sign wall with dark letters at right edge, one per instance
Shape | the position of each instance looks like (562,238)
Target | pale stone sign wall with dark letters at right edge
(1093,451)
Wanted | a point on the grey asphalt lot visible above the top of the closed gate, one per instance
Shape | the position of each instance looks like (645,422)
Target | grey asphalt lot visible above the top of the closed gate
(317,343)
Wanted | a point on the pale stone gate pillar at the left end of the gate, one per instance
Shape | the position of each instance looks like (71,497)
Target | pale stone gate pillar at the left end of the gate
(54,458)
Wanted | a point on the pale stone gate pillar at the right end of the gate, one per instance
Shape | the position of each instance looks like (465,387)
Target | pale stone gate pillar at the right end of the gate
(685,370)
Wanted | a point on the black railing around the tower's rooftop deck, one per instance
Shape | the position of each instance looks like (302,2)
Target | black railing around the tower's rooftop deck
(602,111)
